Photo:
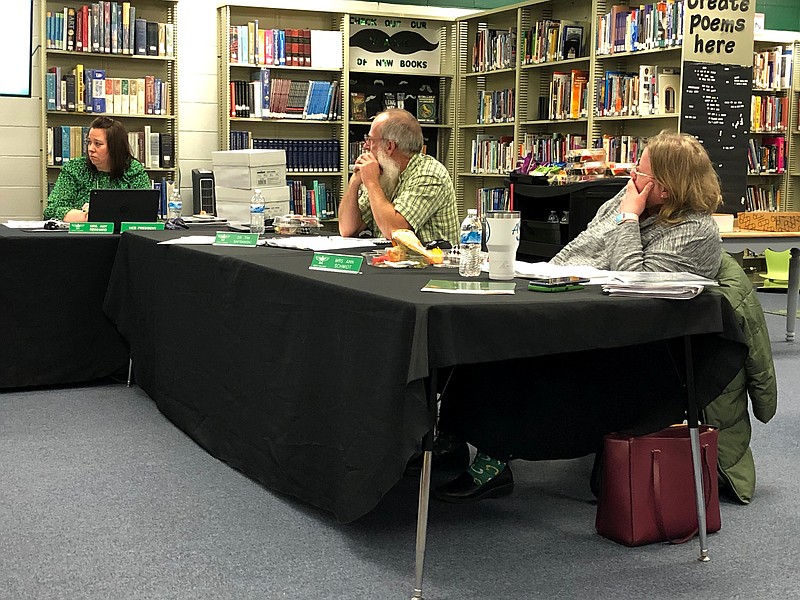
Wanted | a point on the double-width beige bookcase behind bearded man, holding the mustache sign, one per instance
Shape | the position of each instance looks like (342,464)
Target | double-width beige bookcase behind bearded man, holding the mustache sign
(364,85)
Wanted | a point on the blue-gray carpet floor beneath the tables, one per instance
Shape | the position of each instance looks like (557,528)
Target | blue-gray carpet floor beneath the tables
(102,498)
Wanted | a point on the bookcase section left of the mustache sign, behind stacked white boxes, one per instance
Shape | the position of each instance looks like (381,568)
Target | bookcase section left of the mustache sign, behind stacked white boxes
(295,58)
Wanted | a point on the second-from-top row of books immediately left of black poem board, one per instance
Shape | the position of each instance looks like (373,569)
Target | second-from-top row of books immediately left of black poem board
(653,90)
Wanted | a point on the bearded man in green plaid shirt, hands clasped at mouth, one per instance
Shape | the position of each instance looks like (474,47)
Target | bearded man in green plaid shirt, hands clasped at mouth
(394,186)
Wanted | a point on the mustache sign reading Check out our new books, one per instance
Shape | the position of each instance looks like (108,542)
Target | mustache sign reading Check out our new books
(394,44)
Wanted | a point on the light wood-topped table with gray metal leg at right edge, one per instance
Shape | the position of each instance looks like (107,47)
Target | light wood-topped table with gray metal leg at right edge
(740,240)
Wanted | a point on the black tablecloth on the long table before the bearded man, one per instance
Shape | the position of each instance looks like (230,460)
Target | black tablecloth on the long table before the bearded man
(312,382)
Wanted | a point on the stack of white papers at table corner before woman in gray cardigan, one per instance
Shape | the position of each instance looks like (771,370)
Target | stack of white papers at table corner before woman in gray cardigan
(677,286)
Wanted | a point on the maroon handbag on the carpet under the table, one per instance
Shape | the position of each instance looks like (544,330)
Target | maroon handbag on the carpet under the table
(647,488)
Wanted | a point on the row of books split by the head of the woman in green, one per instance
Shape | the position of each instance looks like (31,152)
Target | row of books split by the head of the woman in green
(154,150)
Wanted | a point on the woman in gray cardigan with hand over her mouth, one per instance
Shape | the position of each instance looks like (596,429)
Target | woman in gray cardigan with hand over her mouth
(660,221)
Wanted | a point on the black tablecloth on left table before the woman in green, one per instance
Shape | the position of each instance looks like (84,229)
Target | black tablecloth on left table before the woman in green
(53,326)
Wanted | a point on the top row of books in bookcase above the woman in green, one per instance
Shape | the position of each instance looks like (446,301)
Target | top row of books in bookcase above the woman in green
(107,28)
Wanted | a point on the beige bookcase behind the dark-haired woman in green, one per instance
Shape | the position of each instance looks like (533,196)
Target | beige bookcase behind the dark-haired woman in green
(119,60)
